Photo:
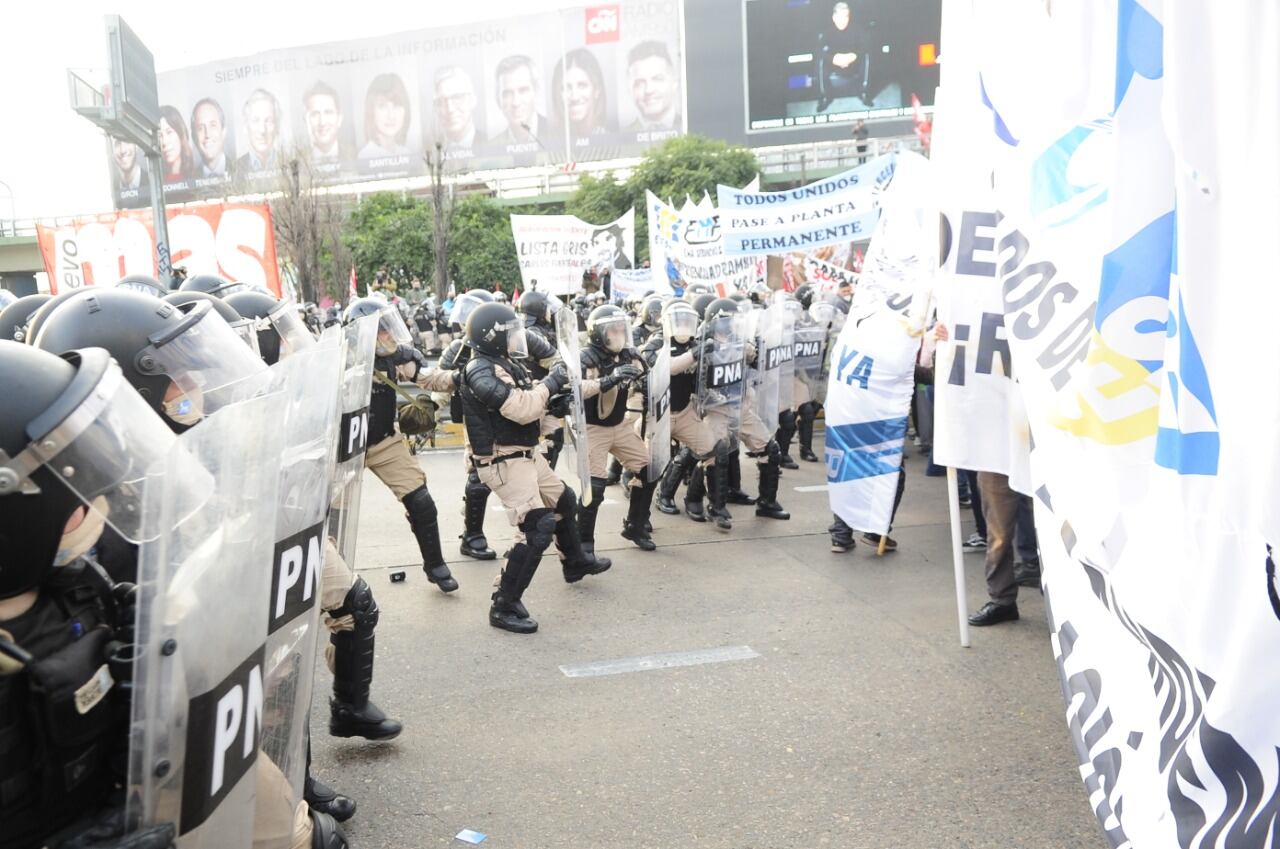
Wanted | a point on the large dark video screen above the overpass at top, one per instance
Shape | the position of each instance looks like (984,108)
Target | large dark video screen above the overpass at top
(829,62)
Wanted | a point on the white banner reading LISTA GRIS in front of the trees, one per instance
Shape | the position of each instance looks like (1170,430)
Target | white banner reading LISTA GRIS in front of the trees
(556,250)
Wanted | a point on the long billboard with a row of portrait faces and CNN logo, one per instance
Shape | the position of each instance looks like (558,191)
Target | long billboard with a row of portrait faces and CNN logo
(560,88)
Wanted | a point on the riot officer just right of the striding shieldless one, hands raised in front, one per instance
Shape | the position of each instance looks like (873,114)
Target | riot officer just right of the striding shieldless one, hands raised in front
(610,364)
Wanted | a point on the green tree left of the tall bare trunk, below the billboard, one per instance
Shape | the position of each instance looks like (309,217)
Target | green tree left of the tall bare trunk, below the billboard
(394,231)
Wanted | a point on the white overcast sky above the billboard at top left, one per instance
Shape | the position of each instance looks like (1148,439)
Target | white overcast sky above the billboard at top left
(56,162)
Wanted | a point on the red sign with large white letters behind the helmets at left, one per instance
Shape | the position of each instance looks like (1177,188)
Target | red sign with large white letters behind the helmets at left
(234,241)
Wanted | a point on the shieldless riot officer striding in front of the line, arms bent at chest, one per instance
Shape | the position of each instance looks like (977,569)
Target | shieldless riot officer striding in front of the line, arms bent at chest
(502,408)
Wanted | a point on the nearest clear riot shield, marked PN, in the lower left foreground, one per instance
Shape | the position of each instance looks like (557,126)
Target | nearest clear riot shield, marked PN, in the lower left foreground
(199,695)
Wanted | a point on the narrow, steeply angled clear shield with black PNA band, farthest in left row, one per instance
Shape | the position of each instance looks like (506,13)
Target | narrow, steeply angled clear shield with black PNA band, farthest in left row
(356,382)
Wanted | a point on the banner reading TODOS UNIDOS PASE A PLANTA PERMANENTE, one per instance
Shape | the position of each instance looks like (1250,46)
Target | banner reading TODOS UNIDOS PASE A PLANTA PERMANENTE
(839,209)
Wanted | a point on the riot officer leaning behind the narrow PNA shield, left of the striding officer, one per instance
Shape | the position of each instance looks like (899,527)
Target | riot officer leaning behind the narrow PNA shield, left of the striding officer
(388,457)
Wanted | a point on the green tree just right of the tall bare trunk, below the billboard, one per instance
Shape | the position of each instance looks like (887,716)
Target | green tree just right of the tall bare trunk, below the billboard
(482,249)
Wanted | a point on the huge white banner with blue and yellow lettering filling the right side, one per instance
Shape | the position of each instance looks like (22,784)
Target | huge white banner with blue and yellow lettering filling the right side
(1155,500)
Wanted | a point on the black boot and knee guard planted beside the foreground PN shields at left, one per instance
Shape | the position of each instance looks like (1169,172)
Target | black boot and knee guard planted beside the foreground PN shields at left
(351,714)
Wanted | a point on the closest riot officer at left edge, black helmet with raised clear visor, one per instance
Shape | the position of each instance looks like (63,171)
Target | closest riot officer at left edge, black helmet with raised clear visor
(66,647)
